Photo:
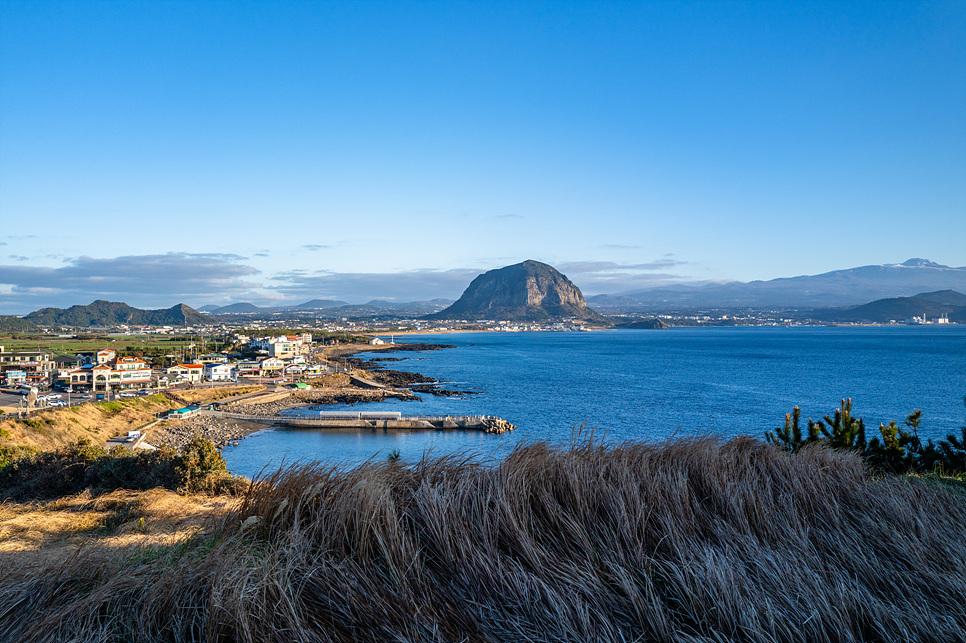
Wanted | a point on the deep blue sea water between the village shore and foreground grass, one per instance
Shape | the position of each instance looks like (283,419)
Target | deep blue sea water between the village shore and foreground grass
(648,385)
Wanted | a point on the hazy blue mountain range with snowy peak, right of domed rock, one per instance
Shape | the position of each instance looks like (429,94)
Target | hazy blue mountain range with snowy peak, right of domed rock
(831,289)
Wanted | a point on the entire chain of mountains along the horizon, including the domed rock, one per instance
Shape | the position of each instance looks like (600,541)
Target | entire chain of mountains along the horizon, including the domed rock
(535,291)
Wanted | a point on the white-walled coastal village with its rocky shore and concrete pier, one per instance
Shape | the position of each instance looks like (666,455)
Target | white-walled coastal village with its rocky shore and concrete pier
(220,395)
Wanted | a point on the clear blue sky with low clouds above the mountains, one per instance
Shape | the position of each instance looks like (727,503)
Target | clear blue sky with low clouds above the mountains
(218,152)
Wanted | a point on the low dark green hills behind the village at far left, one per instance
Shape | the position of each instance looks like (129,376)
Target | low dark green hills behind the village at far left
(112,313)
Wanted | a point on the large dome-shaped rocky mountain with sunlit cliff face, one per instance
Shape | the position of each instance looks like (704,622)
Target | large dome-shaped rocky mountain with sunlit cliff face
(529,291)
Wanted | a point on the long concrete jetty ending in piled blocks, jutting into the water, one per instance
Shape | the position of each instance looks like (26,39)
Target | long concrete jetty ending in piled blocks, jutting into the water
(376,420)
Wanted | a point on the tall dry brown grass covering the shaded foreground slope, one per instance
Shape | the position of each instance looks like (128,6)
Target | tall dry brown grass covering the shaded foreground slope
(691,540)
